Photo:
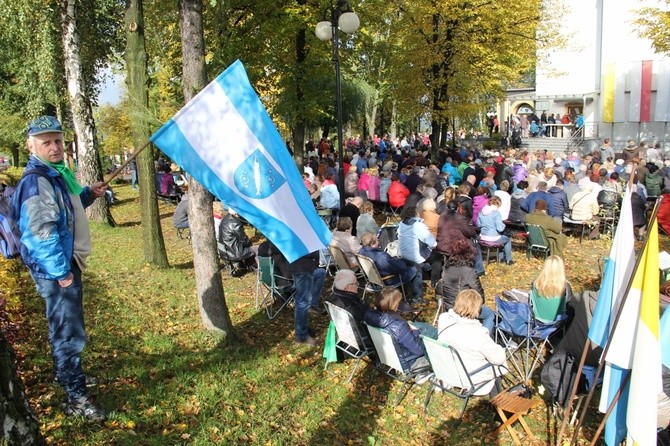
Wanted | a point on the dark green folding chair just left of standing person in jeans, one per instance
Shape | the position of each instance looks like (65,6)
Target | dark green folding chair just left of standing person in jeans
(274,297)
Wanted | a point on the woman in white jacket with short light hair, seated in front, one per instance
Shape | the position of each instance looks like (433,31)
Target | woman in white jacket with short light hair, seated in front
(460,328)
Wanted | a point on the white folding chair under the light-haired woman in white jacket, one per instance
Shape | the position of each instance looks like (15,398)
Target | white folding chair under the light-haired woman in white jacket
(450,374)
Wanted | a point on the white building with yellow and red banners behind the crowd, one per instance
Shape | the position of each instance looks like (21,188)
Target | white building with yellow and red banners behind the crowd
(606,72)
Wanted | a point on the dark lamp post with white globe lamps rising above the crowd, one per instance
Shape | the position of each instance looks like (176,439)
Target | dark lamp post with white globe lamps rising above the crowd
(344,19)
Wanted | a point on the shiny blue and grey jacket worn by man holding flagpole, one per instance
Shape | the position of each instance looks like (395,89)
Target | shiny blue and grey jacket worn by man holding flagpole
(45,216)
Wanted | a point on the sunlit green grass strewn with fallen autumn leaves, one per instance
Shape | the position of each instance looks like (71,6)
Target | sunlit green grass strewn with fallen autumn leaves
(166,381)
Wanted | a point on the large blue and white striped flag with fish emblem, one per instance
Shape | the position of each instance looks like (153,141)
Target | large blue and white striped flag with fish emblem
(226,140)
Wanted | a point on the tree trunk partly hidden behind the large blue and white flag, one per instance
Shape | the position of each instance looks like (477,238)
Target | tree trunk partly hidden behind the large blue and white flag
(211,298)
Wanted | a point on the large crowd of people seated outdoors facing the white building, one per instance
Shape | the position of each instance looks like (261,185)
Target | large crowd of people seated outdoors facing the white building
(449,206)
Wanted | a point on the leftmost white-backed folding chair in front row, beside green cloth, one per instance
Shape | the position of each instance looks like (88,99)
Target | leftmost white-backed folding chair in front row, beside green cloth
(350,338)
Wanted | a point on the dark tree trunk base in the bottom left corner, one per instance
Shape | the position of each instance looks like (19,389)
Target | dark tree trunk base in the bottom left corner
(19,425)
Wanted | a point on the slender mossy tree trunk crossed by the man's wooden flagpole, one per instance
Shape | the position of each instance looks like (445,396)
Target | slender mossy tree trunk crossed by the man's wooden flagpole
(137,82)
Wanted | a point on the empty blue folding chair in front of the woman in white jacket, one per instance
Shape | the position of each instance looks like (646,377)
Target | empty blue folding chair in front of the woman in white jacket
(523,335)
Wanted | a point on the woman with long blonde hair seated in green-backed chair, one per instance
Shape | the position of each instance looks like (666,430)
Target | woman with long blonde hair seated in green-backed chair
(550,291)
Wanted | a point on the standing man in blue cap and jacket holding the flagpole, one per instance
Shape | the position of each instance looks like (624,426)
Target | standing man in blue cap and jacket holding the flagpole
(48,206)
